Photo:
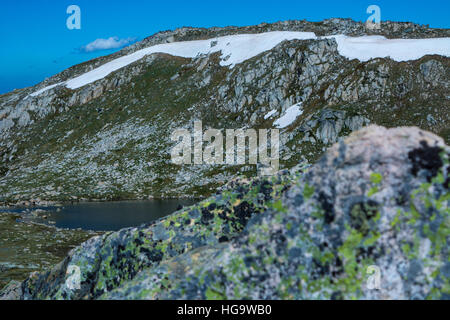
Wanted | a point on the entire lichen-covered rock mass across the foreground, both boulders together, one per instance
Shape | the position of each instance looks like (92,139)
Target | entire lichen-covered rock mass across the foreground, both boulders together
(377,198)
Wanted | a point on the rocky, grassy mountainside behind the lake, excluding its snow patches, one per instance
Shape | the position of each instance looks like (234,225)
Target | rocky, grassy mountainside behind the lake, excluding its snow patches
(110,139)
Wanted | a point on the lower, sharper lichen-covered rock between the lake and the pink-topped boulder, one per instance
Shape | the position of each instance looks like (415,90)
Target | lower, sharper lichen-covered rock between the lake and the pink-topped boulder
(106,262)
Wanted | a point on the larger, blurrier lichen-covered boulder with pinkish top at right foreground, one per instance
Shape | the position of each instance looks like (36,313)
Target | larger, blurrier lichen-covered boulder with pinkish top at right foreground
(376,202)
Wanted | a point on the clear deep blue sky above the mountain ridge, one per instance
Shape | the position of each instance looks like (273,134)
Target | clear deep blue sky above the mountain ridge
(37,44)
